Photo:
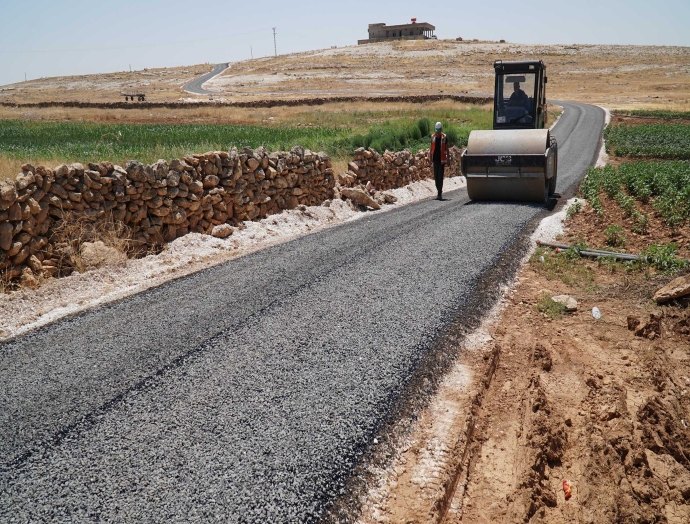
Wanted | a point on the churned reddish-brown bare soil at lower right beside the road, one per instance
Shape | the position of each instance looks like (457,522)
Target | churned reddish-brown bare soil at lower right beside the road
(601,403)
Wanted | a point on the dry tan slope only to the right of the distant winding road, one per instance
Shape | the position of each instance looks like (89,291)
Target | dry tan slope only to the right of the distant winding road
(618,75)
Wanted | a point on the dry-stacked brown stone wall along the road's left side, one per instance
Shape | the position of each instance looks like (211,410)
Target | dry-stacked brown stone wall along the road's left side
(208,193)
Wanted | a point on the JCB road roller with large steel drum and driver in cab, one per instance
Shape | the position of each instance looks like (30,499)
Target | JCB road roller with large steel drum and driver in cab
(518,159)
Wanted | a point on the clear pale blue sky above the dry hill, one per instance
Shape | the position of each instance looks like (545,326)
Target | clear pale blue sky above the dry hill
(73,37)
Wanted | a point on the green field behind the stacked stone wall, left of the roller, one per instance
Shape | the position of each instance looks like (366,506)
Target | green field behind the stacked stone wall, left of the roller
(337,133)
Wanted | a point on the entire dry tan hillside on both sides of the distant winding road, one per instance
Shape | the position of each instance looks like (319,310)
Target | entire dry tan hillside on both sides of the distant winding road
(617,76)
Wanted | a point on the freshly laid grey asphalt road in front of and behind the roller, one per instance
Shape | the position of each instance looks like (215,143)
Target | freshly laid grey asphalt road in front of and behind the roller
(249,391)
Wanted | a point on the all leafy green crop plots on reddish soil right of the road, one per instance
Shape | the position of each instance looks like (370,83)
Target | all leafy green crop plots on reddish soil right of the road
(637,206)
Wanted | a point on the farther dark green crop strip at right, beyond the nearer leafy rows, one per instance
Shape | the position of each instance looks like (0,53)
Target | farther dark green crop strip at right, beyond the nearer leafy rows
(662,141)
